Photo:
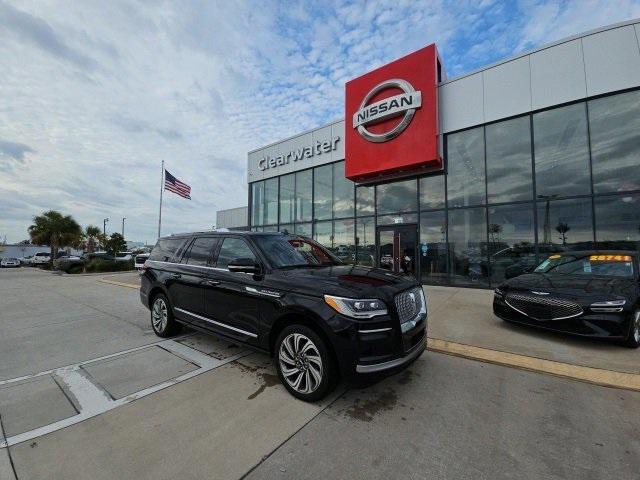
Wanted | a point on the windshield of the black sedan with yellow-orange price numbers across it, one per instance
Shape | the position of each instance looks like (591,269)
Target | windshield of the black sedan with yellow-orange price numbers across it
(600,265)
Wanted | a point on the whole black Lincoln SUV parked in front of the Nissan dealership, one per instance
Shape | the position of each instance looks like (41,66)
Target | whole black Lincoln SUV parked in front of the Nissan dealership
(290,297)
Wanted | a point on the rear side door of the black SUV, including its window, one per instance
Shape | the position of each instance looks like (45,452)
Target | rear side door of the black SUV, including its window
(186,284)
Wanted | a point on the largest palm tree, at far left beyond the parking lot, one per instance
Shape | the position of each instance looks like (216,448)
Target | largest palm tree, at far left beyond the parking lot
(56,230)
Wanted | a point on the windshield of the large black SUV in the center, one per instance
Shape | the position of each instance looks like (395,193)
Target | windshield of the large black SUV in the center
(288,251)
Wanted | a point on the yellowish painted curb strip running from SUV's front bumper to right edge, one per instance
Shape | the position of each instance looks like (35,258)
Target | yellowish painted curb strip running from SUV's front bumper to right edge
(597,376)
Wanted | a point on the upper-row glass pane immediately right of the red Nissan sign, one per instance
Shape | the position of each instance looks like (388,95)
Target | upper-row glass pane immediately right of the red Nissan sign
(465,168)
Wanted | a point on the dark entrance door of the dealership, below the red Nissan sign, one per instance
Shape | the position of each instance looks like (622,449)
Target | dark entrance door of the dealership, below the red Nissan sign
(397,248)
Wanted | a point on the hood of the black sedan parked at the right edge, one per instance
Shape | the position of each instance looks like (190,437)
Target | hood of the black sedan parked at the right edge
(575,287)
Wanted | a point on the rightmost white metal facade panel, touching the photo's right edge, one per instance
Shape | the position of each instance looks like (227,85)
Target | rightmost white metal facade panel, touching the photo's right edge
(612,60)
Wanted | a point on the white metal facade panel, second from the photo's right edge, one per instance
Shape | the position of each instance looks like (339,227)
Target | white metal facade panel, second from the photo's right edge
(557,75)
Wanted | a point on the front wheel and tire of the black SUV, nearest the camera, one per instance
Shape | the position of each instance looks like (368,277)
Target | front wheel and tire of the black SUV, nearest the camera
(305,365)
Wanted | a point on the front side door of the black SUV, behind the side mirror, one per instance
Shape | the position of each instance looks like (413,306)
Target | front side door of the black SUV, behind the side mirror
(230,308)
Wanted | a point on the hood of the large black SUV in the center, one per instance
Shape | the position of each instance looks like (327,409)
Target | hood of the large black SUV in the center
(350,281)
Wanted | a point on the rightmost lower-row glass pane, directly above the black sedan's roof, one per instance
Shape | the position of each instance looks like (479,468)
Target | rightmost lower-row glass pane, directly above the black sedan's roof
(618,222)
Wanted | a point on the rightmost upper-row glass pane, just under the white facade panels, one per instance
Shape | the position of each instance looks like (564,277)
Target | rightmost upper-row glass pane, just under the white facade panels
(615,142)
